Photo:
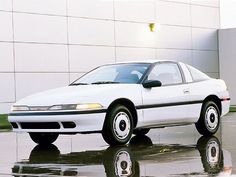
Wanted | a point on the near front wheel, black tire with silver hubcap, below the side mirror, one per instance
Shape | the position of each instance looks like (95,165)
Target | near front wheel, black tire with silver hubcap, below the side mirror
(118,126)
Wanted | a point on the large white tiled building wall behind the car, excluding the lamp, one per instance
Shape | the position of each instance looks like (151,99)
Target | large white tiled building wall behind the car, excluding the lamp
(49,43)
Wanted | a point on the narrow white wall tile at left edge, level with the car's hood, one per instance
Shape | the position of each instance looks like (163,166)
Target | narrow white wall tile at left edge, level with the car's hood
(7,93)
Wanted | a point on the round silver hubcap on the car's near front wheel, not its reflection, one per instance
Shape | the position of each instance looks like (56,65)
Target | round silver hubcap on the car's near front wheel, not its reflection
(121,125)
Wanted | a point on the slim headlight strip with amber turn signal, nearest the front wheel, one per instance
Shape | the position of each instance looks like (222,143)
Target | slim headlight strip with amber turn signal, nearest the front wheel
(79,107)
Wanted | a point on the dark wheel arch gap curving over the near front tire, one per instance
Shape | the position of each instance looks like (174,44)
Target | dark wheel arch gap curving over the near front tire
(127,103)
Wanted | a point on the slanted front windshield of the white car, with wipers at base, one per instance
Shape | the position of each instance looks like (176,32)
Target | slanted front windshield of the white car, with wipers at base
(117,73)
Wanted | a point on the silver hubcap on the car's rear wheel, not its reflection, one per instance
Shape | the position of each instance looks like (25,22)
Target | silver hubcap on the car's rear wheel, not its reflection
(211,118)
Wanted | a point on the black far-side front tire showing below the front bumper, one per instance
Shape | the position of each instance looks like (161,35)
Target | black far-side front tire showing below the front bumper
(44,139)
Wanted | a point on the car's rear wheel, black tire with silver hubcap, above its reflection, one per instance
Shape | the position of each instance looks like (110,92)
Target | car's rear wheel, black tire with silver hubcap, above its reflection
(209,120)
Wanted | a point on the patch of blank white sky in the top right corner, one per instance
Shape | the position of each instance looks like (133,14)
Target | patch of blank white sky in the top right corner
(228,14)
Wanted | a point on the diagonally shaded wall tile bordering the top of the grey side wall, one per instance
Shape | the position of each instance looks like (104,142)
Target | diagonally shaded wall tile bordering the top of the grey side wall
(204,39)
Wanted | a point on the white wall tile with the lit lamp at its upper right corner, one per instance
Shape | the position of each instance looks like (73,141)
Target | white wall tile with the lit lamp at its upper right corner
(134,34)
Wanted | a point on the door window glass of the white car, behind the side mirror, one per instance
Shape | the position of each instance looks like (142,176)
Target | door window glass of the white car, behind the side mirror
(167,73)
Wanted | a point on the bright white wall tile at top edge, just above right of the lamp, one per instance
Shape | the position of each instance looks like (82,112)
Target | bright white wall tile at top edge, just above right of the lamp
(180,13)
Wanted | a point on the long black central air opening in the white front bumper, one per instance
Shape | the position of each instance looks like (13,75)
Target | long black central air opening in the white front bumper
(40,125)
